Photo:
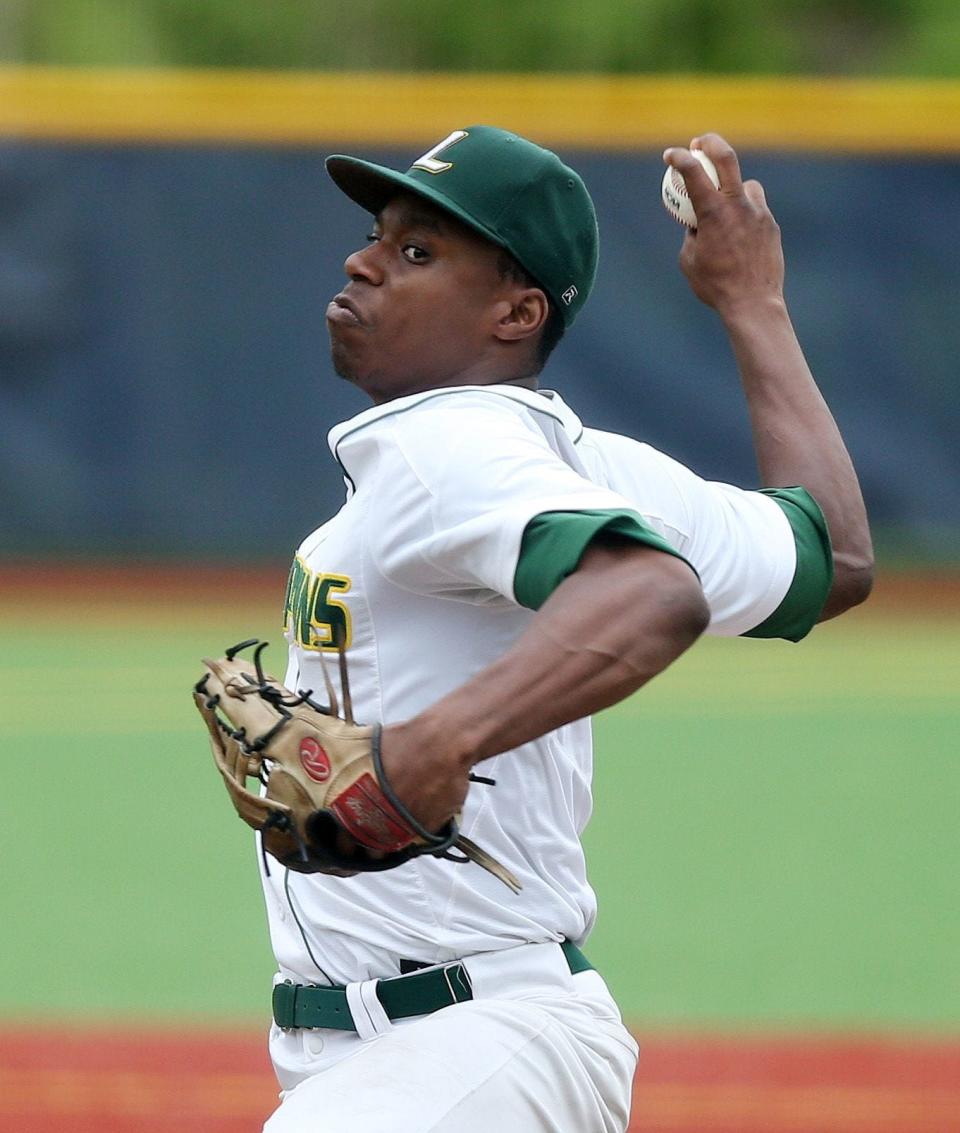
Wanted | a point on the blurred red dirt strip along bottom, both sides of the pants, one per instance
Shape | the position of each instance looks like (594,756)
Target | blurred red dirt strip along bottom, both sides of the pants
(128,1081)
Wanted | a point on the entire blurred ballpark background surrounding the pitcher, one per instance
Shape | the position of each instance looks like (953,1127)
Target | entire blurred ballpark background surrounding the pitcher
(775,840)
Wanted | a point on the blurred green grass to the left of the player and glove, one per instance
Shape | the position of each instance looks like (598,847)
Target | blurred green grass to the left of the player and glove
(131,884)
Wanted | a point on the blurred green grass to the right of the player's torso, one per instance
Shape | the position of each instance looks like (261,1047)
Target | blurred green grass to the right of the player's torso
(785,850)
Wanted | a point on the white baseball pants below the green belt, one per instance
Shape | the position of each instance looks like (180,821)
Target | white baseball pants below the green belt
(537,1051)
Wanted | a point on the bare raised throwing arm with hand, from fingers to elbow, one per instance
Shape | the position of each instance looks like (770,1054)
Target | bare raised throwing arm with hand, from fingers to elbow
(734,262)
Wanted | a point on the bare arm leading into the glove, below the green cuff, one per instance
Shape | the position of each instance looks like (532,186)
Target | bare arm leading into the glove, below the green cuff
(608,629)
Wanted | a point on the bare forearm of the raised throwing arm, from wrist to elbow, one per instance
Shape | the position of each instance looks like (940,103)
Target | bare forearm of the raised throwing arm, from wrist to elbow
(797,441)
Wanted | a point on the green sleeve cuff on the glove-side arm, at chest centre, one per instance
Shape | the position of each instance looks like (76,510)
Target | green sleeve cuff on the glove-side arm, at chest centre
(555,542)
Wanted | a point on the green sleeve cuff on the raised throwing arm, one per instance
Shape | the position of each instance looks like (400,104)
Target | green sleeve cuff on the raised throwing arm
(801,610)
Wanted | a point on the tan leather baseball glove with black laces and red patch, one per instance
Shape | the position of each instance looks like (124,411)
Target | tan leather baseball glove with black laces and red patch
(326,806)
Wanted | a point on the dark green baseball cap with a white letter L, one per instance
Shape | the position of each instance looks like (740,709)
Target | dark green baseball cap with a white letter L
(515,193)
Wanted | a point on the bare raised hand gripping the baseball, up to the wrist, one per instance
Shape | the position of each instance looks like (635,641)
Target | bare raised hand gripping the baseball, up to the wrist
(734,258)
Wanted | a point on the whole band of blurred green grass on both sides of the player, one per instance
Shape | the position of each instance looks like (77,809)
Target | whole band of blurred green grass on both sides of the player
(775,841)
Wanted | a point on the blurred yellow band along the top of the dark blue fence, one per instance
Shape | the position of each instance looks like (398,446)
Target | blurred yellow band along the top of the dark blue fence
(568,112)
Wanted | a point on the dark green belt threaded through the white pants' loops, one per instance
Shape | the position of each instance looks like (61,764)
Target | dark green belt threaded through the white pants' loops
(419,994)
